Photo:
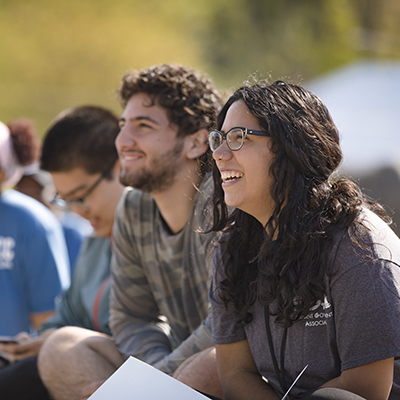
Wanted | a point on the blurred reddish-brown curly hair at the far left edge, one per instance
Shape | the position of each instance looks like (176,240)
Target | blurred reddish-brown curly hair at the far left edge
(25,140)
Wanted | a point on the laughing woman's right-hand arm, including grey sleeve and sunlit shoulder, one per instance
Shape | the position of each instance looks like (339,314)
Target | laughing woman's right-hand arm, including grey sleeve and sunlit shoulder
(367,340)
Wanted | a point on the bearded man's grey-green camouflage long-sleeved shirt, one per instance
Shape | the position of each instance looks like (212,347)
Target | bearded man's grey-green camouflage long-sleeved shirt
(159,304)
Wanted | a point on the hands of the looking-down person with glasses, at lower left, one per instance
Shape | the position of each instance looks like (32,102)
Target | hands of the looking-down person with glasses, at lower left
(25,346)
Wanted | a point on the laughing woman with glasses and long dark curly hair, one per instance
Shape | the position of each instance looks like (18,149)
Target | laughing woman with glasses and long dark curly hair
(300,249)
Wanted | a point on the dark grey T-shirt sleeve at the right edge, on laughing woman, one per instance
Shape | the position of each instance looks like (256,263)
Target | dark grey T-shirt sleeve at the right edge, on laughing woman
(366,309)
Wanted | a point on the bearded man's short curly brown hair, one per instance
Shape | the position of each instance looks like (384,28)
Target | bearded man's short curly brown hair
(191,100)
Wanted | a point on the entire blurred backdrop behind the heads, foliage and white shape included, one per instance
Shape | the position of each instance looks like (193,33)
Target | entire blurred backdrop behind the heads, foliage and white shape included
(57,54)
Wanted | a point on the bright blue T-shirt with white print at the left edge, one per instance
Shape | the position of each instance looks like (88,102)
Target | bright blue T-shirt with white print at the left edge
(34,264)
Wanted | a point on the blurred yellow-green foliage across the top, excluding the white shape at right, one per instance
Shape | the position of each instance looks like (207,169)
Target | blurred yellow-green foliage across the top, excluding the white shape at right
(56,54)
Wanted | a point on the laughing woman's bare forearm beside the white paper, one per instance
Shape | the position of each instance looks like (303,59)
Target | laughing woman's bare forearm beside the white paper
(238,374)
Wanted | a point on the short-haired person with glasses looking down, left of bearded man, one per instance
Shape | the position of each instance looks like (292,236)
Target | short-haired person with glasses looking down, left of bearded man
(79,152)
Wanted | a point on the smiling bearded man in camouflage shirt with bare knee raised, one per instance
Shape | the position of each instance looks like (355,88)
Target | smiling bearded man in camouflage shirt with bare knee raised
(161,257)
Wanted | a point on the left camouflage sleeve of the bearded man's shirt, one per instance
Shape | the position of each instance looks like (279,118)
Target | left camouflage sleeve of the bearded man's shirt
(135,319)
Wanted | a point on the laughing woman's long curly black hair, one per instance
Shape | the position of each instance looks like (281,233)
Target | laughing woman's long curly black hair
(286,260)
